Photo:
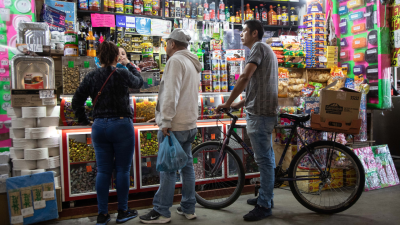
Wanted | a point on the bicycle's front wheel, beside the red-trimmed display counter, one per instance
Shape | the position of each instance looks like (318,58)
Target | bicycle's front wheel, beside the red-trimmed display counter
(214,190)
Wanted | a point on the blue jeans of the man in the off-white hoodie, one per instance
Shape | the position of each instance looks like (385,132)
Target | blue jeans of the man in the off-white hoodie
(164,197)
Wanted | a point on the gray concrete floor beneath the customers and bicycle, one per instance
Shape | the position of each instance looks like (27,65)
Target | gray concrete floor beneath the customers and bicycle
(374,207)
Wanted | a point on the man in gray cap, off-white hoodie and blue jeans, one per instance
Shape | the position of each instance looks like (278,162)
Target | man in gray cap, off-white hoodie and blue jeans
(177,111)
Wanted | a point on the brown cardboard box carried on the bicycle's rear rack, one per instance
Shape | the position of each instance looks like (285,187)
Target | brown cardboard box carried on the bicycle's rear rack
(339,105)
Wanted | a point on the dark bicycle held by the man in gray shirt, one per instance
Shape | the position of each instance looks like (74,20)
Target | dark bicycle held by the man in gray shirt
(314,173)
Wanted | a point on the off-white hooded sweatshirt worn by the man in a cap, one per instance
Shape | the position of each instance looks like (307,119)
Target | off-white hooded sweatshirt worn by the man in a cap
(177,106)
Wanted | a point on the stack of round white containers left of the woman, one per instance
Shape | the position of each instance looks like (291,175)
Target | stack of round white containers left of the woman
(36,144)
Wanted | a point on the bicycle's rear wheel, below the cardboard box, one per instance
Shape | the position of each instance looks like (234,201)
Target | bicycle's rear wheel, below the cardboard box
(335,189)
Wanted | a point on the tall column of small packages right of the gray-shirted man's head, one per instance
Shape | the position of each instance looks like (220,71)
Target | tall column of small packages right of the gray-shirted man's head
(316,34)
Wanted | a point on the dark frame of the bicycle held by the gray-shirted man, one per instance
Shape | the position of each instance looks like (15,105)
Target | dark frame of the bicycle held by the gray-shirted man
(293,128)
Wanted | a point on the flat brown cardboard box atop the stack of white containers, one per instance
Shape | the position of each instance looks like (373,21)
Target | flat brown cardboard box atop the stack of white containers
(30,97)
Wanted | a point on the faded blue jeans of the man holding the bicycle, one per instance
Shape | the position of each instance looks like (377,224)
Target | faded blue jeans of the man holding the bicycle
(259,129)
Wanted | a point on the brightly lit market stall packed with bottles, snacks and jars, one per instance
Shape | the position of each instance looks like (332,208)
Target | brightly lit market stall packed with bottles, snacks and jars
(342,44)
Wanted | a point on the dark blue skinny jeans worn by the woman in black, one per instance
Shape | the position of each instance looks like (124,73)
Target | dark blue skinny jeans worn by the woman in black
(113,139)
